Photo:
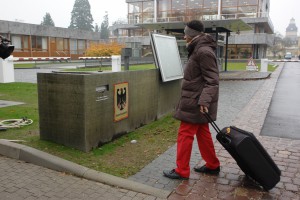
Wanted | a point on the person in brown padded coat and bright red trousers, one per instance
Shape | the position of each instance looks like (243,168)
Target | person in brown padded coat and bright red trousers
(199,94)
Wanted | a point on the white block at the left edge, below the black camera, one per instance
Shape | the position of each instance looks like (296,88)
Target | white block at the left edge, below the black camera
(7,73)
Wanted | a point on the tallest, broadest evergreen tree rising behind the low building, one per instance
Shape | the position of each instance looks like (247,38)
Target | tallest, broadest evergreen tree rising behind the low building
(81,17)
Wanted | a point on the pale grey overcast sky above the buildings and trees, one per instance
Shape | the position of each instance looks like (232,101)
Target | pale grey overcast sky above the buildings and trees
(33,11)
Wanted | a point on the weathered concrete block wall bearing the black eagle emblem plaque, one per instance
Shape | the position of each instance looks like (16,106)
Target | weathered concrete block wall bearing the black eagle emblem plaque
(70,115)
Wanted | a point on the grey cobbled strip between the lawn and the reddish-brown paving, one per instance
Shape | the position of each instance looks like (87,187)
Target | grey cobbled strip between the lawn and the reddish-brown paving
(234,96)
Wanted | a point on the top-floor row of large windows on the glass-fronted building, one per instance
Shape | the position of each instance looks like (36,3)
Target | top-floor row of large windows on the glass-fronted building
(185,10)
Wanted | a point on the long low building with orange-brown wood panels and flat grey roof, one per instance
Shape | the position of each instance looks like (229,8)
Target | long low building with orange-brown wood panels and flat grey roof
(32,40)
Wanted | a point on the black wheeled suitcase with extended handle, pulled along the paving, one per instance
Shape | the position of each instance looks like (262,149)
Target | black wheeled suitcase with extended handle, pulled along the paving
(249,154)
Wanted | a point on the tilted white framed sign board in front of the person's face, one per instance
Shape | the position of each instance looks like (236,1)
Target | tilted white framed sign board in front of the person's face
(166,55)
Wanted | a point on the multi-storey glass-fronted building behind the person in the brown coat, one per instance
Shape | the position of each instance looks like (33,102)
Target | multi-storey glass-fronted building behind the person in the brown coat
(244,25)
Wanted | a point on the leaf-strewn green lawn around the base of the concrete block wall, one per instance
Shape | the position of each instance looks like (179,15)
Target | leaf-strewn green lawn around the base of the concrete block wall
(119,157)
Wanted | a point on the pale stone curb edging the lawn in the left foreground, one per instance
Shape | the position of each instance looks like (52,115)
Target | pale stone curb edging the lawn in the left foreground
(37,157)
